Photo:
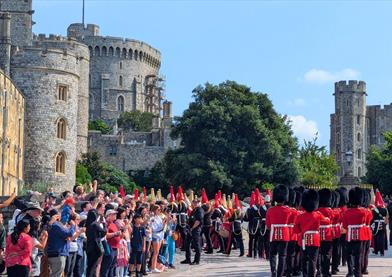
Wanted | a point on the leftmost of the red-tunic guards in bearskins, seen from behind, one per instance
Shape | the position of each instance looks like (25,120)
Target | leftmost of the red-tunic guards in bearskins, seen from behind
(277,221)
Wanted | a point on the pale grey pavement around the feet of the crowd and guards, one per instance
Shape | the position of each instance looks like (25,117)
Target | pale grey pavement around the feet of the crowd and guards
(221,265)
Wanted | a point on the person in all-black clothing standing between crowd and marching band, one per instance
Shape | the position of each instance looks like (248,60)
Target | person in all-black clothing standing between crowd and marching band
(193,233)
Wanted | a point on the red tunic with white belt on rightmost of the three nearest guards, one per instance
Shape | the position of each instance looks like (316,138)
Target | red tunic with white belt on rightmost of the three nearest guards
(354,221)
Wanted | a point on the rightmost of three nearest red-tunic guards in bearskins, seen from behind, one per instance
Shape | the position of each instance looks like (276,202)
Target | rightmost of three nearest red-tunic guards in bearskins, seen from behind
(354,222)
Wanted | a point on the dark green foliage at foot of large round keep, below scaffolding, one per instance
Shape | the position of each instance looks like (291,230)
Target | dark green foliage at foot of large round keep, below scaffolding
(136,120)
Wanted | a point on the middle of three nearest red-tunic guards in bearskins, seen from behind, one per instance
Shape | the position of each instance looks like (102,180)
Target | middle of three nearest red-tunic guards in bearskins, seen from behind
(307,226)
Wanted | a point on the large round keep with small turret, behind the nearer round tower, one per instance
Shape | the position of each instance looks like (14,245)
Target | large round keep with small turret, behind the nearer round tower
(123,74)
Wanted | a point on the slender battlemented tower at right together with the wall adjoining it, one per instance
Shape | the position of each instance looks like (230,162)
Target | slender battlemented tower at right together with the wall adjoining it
(355,127)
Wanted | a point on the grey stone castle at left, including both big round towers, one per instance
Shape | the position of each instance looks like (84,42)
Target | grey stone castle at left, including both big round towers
(68,80)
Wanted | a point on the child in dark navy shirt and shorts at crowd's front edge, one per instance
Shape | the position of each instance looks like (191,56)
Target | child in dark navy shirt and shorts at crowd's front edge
(138,245)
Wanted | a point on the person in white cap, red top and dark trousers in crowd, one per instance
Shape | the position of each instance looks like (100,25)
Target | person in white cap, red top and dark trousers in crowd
(113,237)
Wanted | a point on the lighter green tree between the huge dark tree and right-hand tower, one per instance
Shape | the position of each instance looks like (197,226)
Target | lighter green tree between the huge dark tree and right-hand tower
(316,166)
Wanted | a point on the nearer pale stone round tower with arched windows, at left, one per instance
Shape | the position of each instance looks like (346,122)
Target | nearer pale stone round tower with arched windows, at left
(53,75)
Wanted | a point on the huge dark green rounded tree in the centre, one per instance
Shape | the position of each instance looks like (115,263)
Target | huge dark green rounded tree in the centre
(231,138)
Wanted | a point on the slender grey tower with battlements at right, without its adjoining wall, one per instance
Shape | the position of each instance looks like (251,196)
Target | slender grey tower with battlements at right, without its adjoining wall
(349,128)
